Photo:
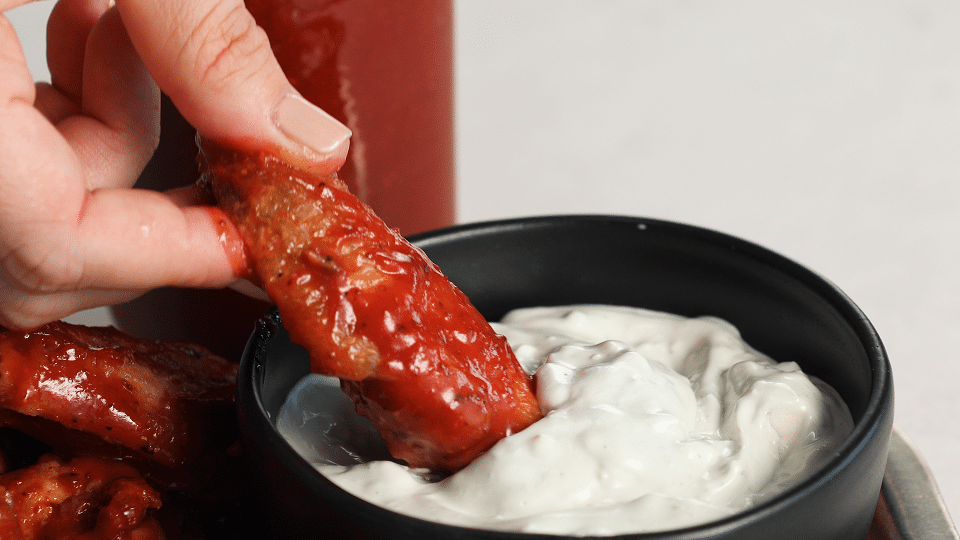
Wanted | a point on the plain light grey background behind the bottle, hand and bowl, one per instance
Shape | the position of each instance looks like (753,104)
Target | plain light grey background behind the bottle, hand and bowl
(827,130)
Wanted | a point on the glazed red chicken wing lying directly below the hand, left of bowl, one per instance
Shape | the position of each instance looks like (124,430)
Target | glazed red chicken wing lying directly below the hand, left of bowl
(98,390)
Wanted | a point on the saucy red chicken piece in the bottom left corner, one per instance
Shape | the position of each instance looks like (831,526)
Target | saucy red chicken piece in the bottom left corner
(87,498)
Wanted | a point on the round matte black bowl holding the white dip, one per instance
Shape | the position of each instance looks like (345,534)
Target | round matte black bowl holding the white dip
(781,308)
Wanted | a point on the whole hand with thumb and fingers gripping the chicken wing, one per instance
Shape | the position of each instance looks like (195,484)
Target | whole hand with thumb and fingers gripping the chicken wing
(73,232)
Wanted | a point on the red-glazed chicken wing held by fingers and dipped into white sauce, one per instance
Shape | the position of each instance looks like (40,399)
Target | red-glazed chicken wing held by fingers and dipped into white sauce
(416,356)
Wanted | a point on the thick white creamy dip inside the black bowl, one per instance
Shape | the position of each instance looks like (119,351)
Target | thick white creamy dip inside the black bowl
(651,422)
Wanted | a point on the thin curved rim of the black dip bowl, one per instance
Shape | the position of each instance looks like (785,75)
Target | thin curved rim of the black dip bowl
(879,403)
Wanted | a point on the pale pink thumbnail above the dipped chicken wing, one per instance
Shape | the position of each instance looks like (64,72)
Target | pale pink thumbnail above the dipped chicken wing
(309,125)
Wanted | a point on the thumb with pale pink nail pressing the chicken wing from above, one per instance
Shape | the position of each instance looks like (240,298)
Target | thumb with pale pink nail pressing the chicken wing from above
(217,66)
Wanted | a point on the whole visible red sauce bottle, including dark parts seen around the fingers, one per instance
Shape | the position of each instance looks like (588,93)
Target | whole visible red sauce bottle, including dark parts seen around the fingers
(383,68)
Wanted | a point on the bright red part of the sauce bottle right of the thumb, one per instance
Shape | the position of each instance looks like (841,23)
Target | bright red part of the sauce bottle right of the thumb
(385,69)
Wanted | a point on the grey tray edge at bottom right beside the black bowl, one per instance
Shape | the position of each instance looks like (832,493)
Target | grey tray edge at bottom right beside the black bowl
(916,510)
